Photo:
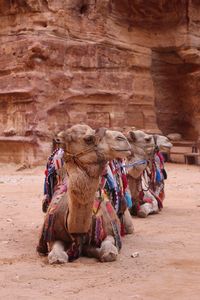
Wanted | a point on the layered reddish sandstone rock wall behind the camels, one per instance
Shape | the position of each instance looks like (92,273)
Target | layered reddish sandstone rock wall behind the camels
(104,62)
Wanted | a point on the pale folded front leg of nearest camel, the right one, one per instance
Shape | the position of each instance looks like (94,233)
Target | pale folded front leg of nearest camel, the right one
(108,251)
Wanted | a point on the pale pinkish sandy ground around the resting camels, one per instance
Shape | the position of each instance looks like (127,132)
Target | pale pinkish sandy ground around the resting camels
(168,265)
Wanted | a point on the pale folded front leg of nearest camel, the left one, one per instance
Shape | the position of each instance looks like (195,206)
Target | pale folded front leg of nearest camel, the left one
(57,254)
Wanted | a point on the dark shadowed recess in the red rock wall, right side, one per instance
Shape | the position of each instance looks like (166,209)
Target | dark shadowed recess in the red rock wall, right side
(172,102)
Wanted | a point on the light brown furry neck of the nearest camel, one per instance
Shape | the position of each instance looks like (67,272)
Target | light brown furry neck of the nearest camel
(81,194)
